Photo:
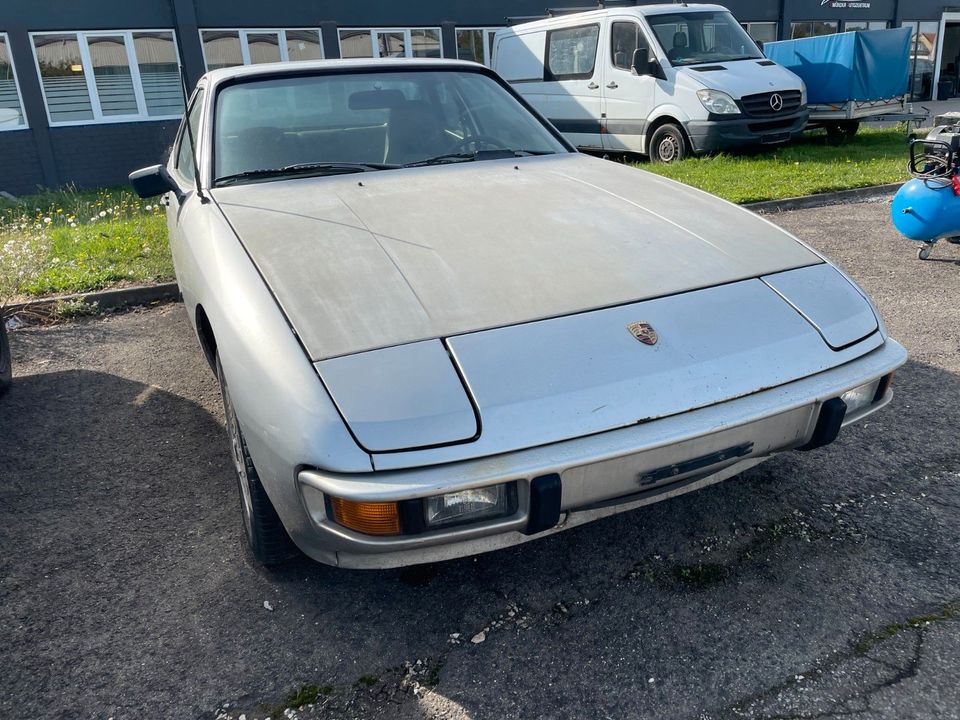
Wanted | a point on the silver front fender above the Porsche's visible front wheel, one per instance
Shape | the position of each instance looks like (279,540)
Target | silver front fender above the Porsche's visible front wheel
(285,412)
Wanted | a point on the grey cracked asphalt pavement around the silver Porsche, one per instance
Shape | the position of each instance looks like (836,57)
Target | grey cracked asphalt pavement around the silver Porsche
(820,584)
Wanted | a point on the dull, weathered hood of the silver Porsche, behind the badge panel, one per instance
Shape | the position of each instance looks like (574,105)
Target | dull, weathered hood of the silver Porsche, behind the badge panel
(366,261)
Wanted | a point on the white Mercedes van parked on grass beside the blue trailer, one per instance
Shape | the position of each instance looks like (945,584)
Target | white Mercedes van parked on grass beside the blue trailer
(661,80)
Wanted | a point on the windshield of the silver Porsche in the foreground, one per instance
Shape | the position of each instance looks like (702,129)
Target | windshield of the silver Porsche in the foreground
(354,122)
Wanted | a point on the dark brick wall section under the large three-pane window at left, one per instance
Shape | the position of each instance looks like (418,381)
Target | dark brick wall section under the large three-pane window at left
(99,155)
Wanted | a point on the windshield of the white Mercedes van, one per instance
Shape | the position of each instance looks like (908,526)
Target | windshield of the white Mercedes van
(690,38)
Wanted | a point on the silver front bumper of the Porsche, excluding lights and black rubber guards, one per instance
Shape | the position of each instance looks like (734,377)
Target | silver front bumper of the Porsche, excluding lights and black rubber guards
(600,475)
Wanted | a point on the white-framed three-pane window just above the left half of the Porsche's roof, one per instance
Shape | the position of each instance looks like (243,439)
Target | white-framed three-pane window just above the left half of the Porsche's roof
(227,48)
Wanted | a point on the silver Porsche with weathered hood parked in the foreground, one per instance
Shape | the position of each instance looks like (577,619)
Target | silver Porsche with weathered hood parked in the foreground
(439,330)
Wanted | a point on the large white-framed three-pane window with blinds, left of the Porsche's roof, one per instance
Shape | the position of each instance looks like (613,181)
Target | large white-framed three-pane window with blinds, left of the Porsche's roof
(116,76)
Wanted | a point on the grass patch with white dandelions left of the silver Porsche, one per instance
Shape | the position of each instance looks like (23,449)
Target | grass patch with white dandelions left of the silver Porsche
(81,241)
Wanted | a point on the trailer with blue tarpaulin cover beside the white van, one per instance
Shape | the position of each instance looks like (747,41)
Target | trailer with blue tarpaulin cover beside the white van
(851,78)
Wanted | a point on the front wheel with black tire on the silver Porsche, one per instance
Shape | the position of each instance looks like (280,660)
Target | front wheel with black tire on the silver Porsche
(266,536)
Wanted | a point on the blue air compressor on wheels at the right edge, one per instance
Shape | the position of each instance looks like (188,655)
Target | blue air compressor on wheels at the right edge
(927,208)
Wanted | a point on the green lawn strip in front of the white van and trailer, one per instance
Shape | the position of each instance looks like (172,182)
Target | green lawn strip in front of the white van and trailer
(805,167)
